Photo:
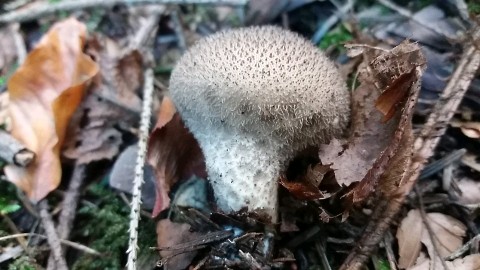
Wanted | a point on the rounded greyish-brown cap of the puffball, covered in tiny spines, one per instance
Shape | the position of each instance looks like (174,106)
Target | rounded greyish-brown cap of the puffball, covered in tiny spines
(263,80)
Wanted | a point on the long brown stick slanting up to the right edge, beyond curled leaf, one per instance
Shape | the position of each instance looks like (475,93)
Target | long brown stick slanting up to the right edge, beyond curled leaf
(424,147)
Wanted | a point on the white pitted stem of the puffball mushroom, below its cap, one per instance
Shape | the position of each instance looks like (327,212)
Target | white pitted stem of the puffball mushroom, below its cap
(243,170)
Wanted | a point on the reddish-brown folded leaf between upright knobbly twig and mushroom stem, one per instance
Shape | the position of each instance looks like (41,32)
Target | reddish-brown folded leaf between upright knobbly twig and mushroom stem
(173,152)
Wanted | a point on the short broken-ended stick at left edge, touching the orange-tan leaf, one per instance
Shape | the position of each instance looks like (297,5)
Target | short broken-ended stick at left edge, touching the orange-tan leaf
(13,152)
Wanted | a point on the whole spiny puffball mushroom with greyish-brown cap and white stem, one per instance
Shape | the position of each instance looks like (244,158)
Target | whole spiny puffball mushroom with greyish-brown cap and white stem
(253,97)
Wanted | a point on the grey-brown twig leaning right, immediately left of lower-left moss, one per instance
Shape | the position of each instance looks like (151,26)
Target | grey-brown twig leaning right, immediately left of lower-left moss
(69,207)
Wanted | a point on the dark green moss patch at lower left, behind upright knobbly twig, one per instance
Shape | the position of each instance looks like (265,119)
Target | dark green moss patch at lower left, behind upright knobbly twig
(105,226)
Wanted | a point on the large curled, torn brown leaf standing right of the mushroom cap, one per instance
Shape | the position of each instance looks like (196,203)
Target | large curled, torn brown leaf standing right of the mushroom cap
(382,109)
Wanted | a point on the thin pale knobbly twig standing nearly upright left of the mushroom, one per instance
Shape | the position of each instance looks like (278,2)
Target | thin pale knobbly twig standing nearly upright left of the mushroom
(138,181)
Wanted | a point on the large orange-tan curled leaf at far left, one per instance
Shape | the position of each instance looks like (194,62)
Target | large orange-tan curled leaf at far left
(44,93)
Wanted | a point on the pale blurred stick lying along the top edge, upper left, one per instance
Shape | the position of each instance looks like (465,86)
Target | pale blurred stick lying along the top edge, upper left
(46,8)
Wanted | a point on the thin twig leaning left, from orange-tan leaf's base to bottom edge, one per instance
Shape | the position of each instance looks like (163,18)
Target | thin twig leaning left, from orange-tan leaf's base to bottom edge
(52,236)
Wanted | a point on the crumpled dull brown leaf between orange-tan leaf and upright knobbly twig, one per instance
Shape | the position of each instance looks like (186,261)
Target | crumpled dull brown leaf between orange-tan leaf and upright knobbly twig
(111,107)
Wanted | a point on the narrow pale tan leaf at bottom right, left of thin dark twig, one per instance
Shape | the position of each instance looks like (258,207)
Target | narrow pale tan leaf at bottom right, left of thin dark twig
(408,235)
